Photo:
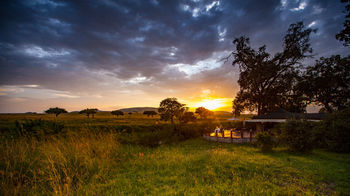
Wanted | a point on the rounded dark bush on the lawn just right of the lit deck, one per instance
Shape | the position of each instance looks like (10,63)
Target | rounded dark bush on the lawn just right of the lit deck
(297,135)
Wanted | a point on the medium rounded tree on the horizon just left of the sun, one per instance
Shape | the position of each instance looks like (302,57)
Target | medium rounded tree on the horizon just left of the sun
(170,108)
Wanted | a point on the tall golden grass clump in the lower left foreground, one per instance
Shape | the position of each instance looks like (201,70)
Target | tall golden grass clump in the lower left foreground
(60,164)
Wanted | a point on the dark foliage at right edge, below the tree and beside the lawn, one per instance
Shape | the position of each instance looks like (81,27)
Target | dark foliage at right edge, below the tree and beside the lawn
(336,131)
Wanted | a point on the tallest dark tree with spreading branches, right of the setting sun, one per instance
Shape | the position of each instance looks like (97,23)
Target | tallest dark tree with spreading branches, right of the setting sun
(268,82)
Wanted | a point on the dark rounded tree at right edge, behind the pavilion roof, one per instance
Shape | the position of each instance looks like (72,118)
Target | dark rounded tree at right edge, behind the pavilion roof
(327,83)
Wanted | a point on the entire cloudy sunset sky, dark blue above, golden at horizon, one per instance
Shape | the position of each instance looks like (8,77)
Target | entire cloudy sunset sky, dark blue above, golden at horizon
(110,54)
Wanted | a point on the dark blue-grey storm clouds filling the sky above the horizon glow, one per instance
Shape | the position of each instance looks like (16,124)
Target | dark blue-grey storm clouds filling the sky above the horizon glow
(77,45)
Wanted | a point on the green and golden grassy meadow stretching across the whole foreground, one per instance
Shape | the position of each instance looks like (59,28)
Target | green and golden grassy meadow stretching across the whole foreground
(105,155)
